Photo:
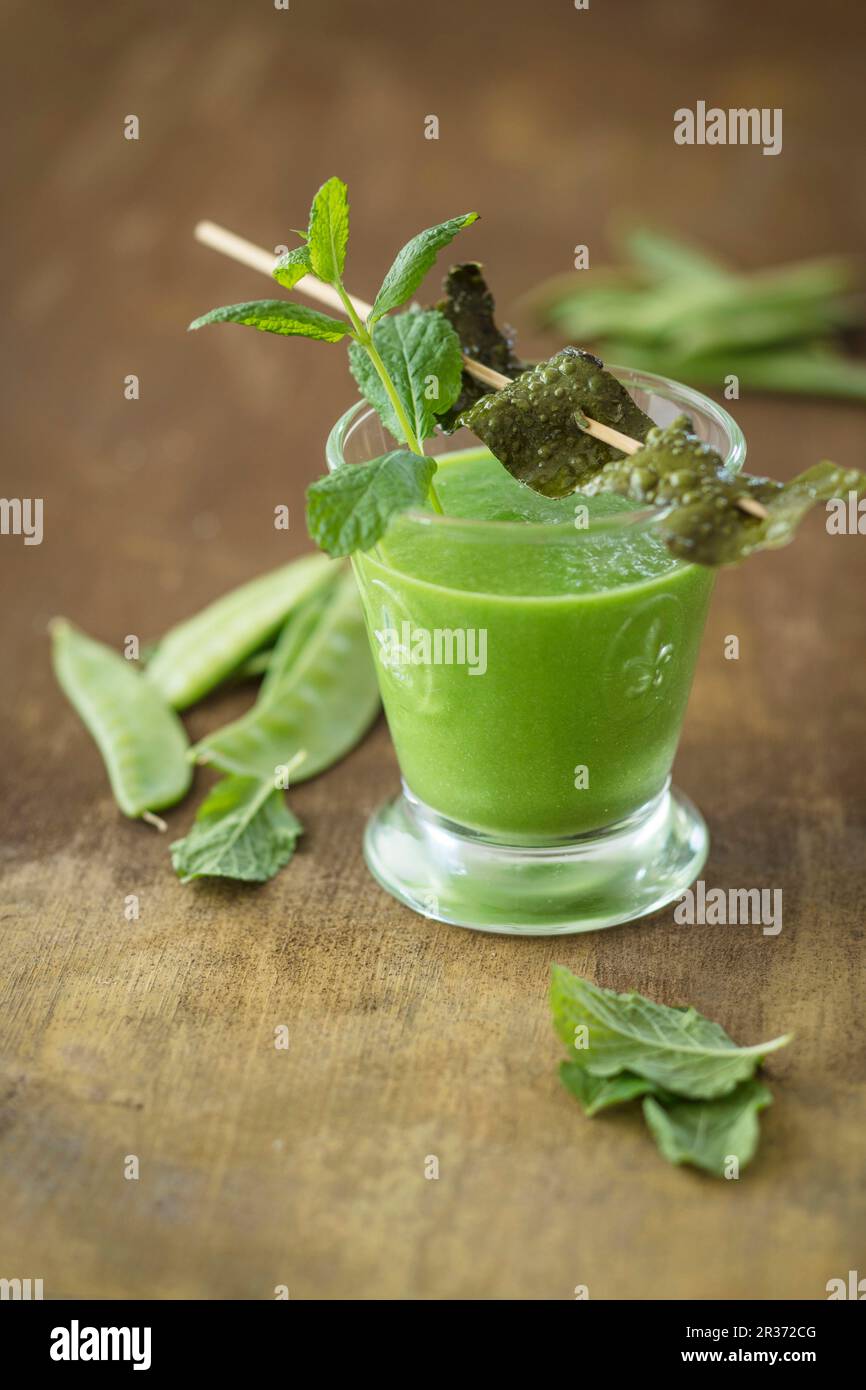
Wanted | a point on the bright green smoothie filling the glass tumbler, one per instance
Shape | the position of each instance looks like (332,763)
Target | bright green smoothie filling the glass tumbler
(536,675)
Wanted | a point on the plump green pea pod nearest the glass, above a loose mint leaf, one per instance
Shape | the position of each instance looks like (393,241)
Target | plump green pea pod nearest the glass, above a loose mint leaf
(319,697)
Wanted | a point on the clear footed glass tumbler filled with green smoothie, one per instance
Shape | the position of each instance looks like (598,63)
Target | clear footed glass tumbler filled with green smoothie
(536,678)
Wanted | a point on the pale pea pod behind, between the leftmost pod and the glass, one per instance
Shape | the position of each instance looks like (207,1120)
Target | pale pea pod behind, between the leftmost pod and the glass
(197,655)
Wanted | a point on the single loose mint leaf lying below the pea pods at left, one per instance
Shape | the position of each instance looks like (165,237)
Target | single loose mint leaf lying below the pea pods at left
(244,831)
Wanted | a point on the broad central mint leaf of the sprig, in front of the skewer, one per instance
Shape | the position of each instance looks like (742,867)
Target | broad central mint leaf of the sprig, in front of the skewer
(422,355)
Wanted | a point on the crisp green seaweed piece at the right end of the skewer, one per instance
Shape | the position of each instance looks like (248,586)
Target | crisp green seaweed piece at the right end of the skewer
(707,523)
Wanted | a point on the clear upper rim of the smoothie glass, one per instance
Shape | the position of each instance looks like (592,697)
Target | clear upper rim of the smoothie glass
(678,393)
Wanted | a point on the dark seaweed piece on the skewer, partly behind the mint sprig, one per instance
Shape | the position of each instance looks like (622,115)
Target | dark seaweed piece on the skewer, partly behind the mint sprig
(469,308)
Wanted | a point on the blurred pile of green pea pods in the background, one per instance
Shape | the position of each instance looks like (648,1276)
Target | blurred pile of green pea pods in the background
(683,313)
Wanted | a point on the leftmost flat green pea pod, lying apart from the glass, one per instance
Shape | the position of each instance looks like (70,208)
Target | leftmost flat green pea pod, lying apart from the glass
(142,742)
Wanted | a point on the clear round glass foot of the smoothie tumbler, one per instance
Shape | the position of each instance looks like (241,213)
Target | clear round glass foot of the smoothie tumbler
(600,881)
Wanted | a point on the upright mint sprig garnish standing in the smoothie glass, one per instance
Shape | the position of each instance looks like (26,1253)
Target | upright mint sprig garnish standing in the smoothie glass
(408,368)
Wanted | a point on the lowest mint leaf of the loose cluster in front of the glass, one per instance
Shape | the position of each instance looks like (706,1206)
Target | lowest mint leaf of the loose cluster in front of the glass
(710,1134)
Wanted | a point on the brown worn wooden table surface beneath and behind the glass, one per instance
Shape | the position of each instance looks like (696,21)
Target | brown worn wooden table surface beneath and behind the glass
(407,1039)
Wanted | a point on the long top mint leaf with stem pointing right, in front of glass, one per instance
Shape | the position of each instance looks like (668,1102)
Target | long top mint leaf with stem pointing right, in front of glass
(678,1050)
